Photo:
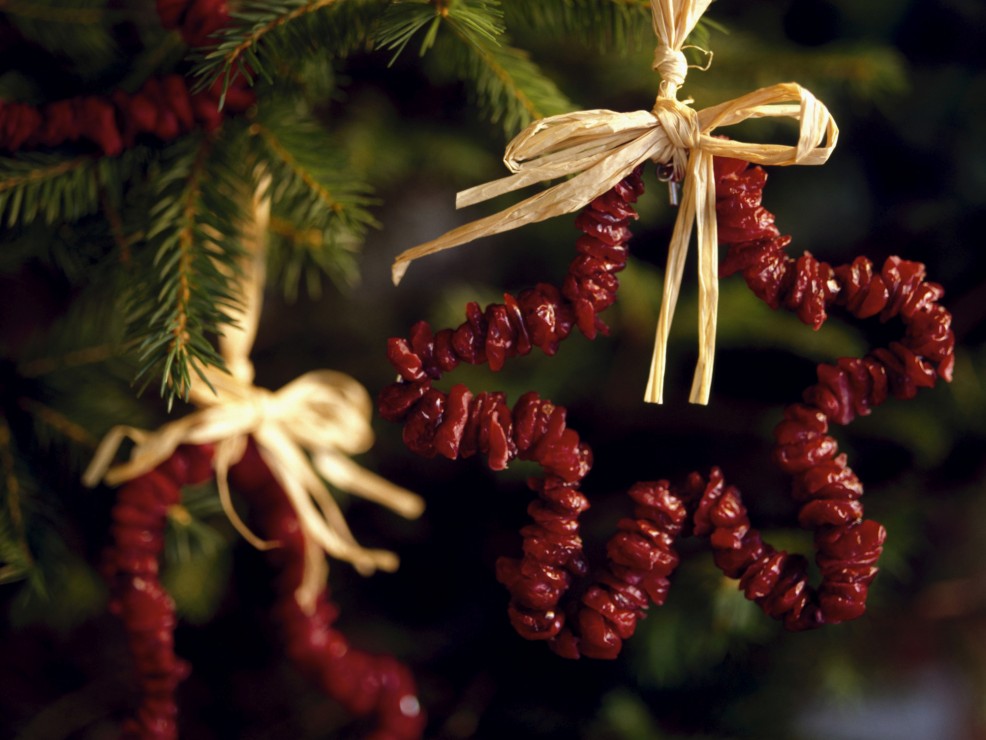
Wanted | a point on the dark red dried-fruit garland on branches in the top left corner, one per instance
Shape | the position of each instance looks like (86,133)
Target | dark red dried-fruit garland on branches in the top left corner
(164,107)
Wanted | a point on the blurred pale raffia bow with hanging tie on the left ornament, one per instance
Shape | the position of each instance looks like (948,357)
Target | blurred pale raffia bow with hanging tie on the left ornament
(304,432)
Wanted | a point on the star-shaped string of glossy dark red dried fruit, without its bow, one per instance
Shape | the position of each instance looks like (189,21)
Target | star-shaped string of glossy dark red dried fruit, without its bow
(641,555)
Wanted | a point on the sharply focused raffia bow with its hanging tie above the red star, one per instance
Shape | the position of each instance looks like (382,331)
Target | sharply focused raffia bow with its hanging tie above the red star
(601,147)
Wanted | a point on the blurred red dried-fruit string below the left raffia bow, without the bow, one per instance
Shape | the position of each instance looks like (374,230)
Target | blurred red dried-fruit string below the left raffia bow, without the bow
(364,684)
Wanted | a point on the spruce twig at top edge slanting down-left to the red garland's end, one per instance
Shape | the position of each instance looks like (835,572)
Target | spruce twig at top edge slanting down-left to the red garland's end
(263,33)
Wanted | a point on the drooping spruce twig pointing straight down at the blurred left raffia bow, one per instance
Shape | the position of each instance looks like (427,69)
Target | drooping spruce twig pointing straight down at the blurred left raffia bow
(185,285)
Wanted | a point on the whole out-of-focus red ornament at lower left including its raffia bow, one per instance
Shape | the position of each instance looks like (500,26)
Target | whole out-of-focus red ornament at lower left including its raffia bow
(297,436)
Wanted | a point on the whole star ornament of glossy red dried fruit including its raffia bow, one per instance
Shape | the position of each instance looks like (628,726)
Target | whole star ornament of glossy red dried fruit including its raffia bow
(603,151)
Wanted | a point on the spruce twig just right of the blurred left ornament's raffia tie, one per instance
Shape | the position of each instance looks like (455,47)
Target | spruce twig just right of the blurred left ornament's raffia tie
(319,205)
